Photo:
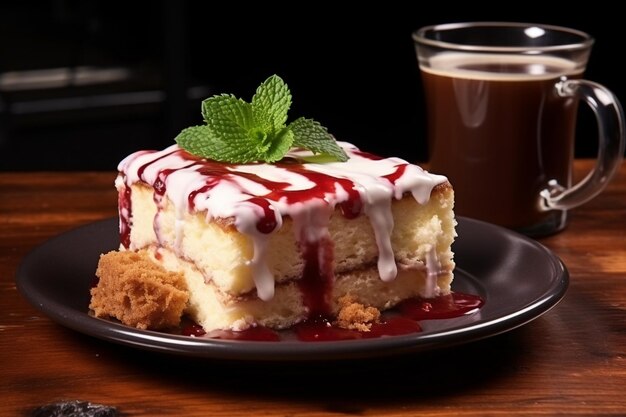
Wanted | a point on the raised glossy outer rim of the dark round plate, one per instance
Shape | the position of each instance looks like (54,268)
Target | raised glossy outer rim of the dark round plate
(119,333)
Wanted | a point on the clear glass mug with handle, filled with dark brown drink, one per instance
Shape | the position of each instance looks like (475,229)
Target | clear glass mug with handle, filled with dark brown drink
(501,101)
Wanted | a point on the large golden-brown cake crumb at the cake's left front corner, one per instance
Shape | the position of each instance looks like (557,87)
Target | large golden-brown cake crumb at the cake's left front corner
(138,292)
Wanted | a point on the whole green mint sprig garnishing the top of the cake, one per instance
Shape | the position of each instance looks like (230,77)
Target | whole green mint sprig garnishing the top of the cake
(240,132)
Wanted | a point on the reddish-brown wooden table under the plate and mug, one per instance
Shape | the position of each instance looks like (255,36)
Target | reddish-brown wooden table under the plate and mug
(570,361)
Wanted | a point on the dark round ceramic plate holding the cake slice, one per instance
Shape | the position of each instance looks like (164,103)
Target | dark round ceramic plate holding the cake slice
(518,278)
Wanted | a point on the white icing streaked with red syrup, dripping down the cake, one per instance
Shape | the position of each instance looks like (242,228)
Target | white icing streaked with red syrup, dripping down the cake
(258,196)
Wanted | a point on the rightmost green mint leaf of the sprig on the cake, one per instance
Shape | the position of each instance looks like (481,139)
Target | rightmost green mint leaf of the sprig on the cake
(311,135)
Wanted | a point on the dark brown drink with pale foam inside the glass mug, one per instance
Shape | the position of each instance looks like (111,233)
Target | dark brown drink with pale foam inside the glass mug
(499,132)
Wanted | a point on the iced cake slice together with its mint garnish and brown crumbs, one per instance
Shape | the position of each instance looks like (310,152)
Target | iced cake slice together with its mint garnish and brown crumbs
(250,221)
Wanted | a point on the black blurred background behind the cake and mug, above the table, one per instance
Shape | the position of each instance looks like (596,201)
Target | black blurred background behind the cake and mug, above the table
(349,65)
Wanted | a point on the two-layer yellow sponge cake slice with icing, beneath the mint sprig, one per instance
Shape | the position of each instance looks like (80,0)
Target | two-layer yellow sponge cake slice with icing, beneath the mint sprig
(275,244)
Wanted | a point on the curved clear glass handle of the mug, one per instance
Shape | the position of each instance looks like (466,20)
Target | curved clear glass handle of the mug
(610,119)
